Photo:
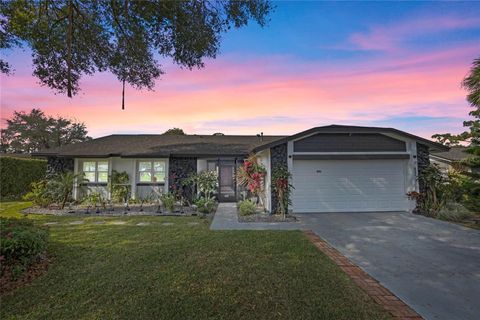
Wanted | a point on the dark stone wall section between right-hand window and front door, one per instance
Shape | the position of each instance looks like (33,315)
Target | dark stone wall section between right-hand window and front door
(180,168)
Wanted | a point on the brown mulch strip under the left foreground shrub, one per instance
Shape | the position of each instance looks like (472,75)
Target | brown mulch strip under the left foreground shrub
(9,284)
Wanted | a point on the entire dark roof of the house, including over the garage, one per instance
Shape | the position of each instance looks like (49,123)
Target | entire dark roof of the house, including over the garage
(149,145)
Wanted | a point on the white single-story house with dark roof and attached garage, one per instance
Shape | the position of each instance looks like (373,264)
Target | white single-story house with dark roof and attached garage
(334,168)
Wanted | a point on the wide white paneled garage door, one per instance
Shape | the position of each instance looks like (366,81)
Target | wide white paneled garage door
(349,185)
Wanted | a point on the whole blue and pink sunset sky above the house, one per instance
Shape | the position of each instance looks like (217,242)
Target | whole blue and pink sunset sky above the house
(316,63)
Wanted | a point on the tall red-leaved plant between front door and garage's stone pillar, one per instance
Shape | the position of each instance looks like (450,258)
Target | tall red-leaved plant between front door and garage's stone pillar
(251,174)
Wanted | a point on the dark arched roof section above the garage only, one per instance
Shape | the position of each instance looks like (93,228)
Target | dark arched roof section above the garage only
(334,128)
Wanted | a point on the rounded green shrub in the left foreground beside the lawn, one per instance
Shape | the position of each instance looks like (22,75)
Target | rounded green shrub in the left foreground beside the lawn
(22,243)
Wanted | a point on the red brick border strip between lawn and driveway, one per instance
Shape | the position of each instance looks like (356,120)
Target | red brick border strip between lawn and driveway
(381,295)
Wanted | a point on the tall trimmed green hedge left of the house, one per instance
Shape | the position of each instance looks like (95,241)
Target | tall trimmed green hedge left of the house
(17,174)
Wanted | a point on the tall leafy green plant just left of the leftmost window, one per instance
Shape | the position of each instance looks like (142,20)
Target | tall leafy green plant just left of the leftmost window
(60,187)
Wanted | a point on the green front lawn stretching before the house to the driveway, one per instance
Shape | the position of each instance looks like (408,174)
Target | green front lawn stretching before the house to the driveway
(183,271)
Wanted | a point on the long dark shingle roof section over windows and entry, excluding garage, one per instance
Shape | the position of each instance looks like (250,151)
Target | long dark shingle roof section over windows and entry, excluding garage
(147,145)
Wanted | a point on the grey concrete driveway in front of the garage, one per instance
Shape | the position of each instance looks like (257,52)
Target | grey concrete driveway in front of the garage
(433,266)
